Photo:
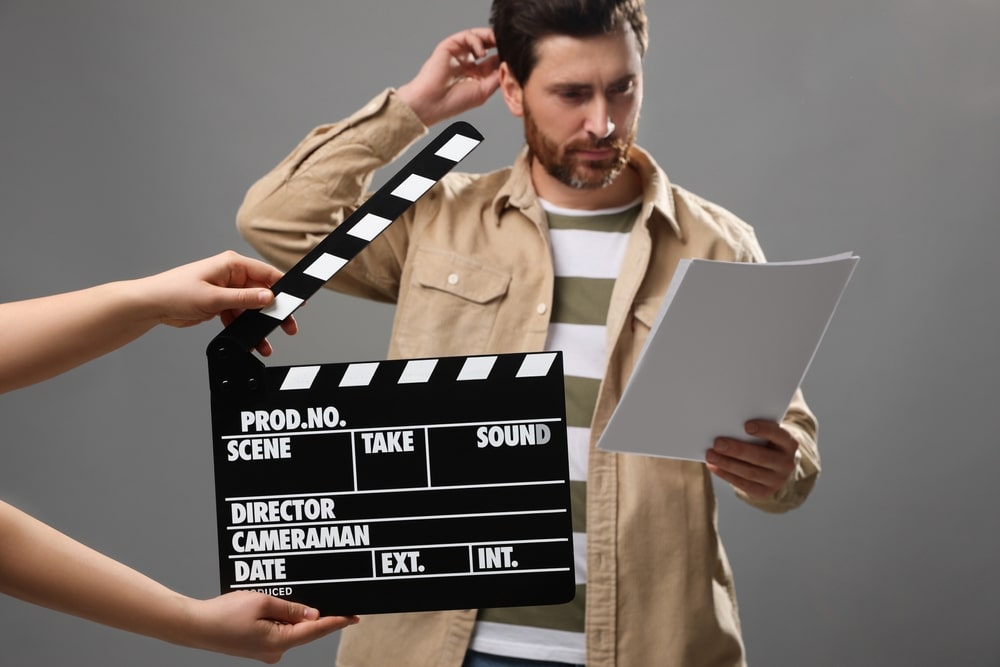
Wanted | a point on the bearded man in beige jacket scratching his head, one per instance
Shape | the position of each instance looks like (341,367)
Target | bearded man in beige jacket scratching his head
(571,249)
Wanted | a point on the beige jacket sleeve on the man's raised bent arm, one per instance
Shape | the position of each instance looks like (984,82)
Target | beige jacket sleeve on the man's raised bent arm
(292,208)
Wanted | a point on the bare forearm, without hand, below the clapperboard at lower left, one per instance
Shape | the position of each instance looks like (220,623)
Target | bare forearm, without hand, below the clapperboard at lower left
(40,565)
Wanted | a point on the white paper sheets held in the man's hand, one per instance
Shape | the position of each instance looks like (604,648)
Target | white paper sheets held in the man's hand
(732,342)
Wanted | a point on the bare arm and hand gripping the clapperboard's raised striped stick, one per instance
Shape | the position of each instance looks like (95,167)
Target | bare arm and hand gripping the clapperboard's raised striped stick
(50,335)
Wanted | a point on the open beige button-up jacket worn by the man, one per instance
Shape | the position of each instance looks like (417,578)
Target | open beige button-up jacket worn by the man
(470,271)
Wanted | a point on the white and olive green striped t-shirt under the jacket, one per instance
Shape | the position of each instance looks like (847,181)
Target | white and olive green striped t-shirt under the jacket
(587,252)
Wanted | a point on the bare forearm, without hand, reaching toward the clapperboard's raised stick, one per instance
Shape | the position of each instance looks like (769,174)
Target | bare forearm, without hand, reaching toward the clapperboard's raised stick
(50,335)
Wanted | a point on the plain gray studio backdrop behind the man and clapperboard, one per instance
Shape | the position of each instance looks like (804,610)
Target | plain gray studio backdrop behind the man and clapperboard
(130,132)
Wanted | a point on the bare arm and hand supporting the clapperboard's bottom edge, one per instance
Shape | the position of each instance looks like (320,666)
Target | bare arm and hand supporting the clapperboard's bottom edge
(40,565)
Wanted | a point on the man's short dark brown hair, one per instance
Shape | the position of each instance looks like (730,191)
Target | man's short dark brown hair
(519,24)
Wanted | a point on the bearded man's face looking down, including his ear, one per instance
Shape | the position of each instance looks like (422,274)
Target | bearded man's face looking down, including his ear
(581,106)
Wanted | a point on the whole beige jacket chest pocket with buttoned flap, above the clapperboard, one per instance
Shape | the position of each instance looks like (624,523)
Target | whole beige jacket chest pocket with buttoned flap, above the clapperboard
(451,305)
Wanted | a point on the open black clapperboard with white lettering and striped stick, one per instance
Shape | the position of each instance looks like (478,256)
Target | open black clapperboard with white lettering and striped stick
(389,486)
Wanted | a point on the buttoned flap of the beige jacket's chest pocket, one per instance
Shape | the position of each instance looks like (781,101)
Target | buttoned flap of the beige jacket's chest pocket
(460,276)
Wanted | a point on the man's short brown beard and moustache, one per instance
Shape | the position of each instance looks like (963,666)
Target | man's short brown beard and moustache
(564,166)
